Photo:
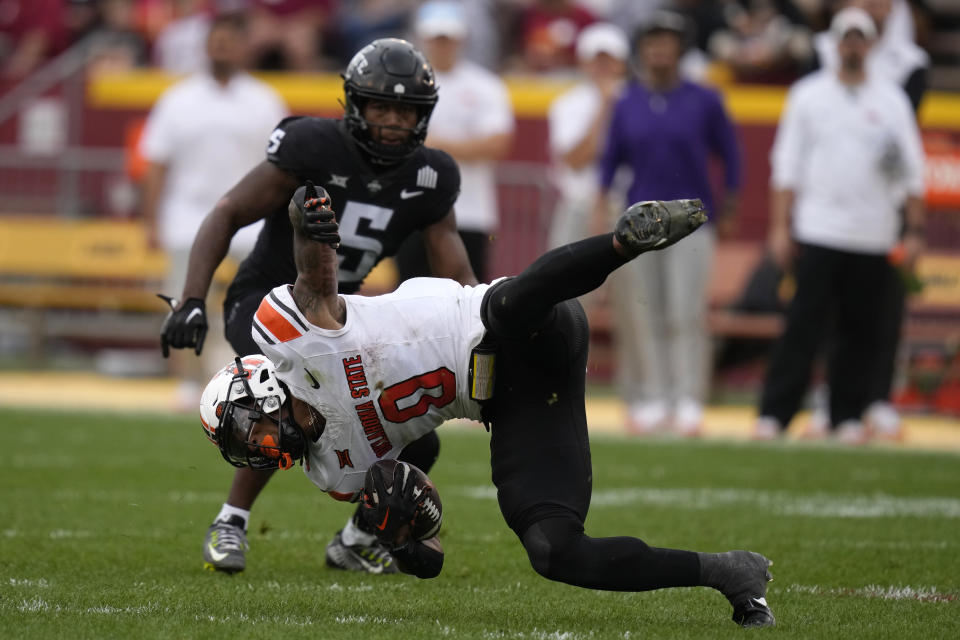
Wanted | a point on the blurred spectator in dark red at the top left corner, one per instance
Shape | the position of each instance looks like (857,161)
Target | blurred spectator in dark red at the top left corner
(31,32)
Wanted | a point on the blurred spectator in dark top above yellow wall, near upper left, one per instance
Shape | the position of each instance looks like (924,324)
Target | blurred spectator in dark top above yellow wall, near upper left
(115,44)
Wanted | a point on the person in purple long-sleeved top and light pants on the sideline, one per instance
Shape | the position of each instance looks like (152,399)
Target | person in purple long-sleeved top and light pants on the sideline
(665,129)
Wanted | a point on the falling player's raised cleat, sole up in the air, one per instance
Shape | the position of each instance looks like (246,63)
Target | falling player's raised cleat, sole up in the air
(652,225)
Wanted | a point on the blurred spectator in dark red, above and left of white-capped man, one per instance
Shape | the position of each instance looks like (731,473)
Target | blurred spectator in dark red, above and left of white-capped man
(548,34)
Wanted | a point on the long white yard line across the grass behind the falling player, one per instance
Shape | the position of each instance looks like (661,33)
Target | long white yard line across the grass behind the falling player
(815,505)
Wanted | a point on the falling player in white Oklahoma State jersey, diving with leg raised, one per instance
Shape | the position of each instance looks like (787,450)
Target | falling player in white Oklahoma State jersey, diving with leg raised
(369,375)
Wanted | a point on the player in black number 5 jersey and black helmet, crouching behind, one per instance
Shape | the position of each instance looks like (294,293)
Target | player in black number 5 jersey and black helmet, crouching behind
(384,184)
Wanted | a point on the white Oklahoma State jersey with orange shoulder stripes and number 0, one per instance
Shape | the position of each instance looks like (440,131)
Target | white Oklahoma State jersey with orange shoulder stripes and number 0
(396,370)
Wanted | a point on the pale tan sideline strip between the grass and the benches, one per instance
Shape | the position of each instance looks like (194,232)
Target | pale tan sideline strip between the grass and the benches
(69,391)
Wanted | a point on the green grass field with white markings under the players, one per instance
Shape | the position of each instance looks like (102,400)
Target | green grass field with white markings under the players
(102,518)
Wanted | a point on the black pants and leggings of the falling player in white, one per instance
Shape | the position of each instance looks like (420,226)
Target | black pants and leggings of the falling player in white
(539,447)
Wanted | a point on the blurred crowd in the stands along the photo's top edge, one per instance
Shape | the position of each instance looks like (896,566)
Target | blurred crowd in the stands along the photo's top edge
(756,40)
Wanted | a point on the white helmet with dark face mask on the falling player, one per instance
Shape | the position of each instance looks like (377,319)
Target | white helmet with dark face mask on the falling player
(237,397)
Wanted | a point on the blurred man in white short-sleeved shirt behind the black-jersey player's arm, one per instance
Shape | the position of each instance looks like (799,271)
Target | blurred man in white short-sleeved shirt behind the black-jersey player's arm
(201,137)
